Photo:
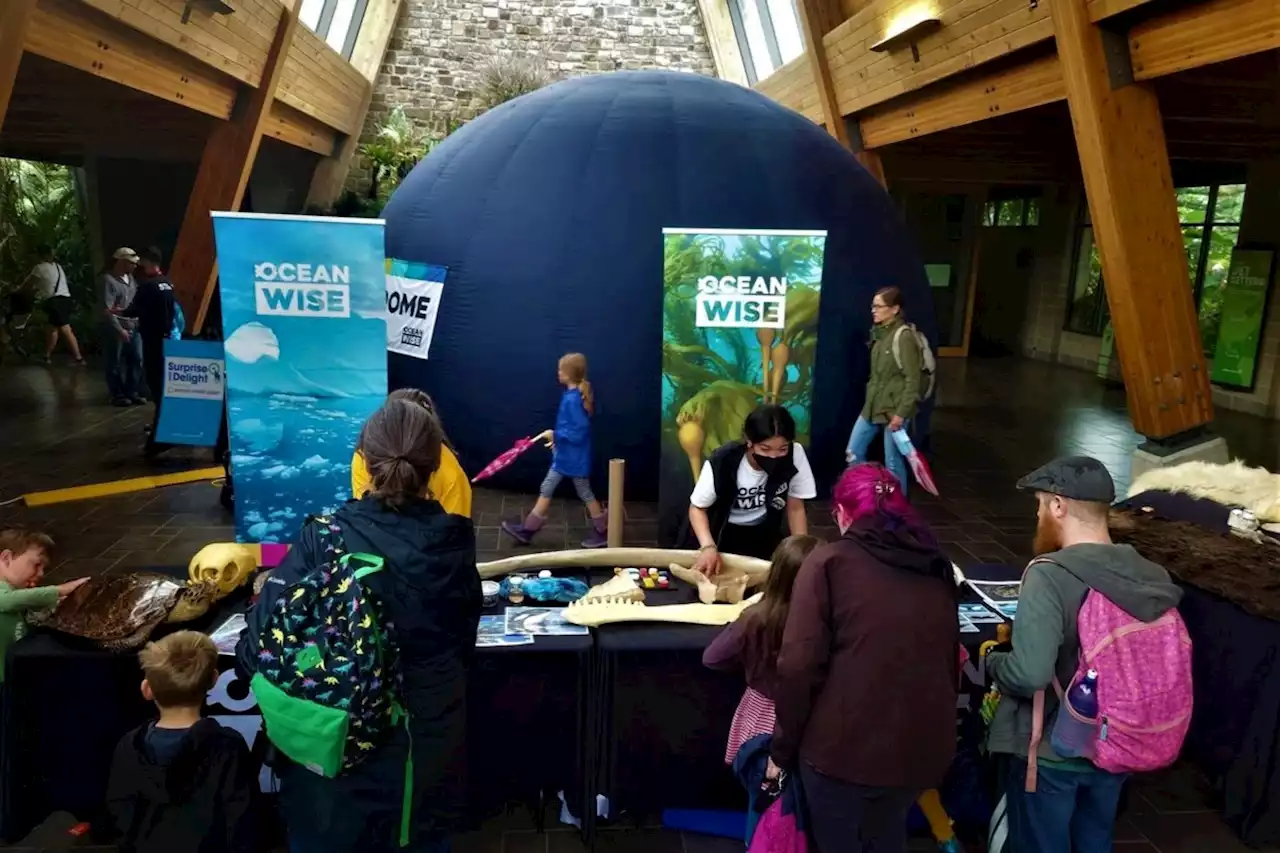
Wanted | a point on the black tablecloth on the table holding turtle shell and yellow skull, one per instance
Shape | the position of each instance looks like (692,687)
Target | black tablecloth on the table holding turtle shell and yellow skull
(67,704)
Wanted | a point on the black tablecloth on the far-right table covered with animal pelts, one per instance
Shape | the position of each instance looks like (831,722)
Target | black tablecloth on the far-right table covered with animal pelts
(1236,664)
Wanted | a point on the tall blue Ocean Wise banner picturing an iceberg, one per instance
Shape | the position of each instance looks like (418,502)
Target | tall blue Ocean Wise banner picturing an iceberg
(304,314)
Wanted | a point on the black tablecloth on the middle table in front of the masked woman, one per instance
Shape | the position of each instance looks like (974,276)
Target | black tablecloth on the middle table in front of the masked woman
(665,718)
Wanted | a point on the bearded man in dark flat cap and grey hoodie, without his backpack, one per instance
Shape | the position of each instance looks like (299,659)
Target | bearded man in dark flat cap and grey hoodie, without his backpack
(1075,805)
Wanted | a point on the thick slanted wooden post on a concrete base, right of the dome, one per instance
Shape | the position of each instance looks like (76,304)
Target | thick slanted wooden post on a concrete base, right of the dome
(1124,159)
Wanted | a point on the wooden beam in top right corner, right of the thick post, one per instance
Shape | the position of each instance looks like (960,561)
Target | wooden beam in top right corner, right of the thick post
(1204,34)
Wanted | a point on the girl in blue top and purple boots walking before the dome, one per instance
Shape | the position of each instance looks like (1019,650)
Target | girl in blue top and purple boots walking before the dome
(572,446)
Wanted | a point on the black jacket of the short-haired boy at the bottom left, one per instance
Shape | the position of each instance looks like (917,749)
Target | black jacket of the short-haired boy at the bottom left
(202,802)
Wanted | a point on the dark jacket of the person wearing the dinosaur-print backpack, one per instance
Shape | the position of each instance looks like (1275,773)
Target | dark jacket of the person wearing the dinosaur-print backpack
(432,592)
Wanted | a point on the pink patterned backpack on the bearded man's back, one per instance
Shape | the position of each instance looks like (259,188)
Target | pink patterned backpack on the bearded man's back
(1145,687)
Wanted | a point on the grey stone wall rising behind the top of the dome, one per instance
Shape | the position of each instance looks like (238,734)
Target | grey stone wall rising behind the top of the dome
(438,51)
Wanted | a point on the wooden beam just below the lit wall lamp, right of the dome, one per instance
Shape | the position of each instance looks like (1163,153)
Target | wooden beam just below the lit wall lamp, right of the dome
(982,97)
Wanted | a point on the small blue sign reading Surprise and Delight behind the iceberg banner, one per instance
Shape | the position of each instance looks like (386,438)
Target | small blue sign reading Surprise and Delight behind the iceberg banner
(194,393)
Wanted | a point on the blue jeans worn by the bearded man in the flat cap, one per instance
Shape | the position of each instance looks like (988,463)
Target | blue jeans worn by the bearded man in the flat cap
(1069,813)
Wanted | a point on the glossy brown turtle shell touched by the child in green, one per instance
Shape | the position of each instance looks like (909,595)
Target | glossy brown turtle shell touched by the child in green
(120,612)
